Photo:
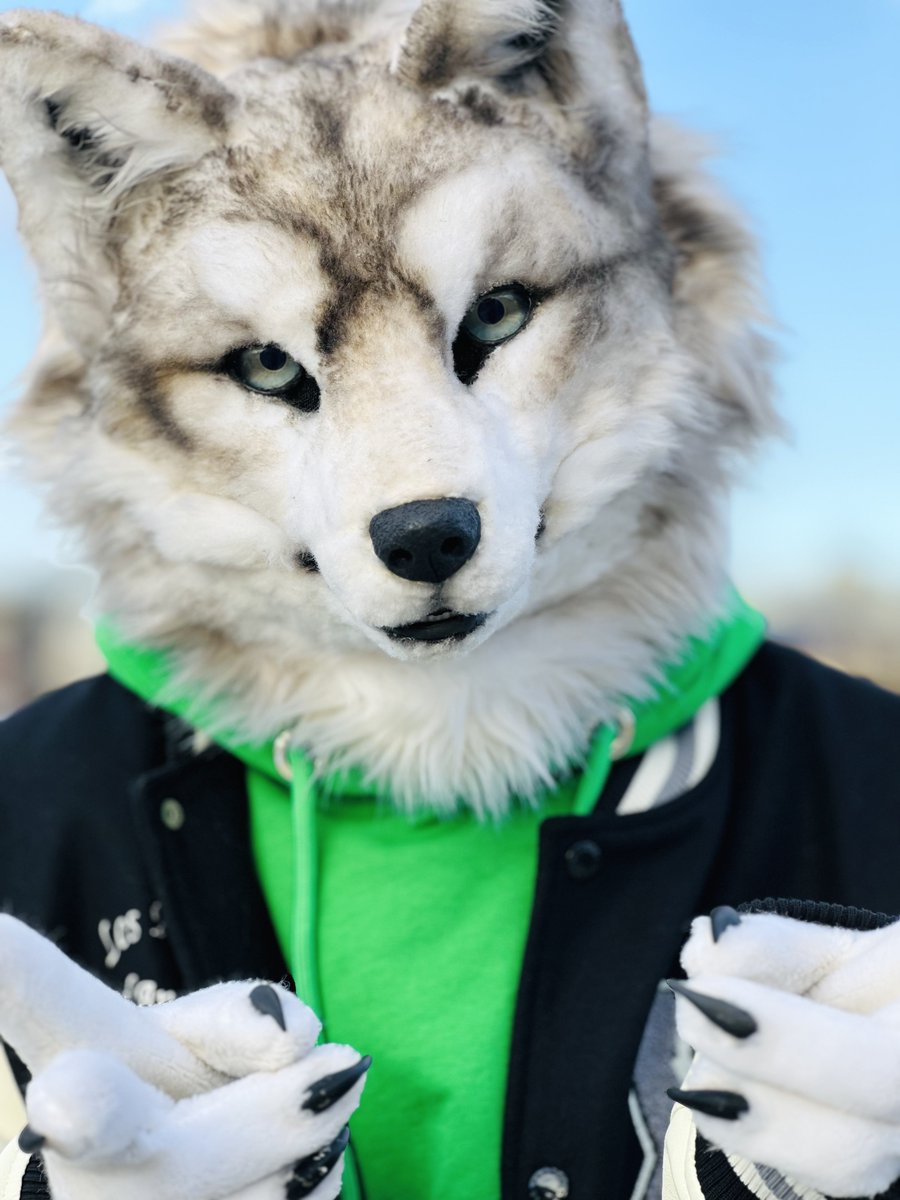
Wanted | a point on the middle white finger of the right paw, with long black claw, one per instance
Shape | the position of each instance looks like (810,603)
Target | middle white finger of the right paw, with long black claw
(794,1045)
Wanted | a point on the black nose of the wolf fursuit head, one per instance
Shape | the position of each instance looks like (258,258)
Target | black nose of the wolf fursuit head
(427,541)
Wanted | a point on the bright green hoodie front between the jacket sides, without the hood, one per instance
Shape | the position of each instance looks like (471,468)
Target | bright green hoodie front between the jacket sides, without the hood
(448,899)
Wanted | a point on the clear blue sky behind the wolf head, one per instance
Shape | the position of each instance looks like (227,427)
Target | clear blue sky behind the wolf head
(805,99)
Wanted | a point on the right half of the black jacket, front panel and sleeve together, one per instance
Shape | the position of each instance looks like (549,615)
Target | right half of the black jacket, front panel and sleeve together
(803,800)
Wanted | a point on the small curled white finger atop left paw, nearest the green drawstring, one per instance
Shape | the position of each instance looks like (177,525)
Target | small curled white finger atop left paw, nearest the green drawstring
(242,1028)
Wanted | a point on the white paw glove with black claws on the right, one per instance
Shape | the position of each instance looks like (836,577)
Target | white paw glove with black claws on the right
(797,1034)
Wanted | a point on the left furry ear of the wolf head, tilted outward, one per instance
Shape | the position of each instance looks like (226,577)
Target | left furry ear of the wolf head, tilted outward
(85,117)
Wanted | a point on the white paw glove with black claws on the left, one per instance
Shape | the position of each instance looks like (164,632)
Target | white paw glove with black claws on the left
(220,1094)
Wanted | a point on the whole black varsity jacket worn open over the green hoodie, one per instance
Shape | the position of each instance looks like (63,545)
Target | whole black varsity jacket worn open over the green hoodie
(133,853)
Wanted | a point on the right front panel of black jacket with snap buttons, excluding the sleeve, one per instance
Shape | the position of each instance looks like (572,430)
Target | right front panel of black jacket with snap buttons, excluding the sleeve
(596,953)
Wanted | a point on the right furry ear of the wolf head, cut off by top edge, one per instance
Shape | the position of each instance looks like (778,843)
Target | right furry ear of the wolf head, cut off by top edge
(578,51)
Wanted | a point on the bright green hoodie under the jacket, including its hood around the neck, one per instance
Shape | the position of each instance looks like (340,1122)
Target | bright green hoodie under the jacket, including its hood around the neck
(437,908)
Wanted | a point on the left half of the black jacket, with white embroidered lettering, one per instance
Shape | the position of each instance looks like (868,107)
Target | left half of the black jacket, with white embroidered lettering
(88,860)
